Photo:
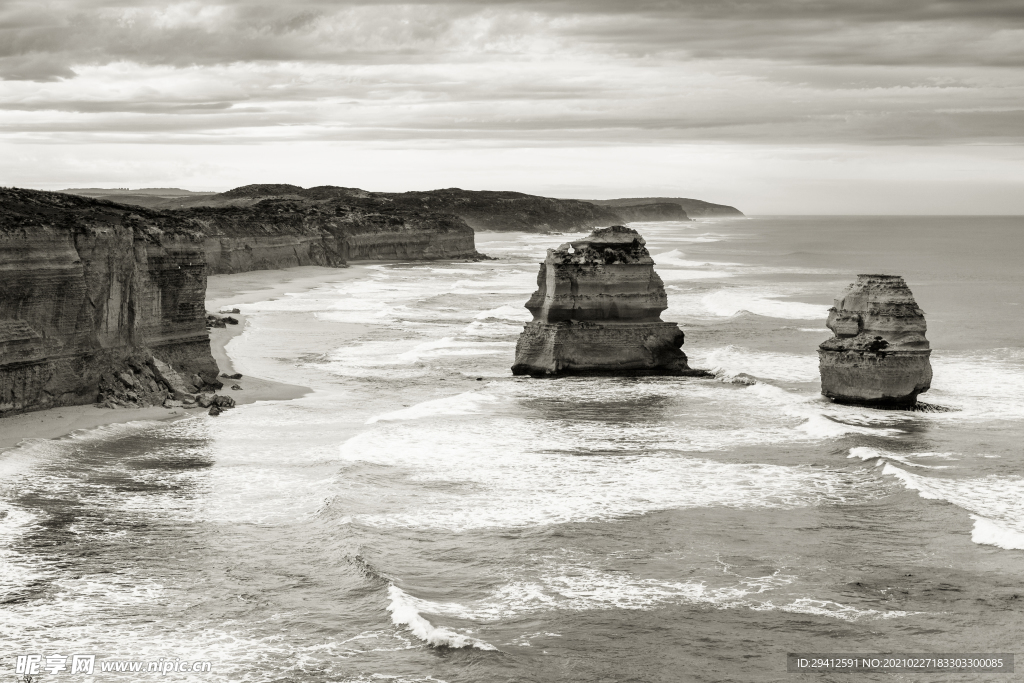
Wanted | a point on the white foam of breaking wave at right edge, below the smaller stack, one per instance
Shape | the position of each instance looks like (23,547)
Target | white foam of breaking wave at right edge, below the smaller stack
(997,503)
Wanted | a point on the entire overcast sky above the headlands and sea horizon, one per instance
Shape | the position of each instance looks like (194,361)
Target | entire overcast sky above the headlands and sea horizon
(772,106)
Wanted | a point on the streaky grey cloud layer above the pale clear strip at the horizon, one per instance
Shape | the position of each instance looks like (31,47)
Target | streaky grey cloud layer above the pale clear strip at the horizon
(515,75)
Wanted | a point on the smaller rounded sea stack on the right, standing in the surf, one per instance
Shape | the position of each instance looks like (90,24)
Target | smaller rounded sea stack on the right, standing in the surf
(880,356)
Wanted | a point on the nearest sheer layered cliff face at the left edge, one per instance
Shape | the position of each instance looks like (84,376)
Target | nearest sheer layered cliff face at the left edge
(91,291)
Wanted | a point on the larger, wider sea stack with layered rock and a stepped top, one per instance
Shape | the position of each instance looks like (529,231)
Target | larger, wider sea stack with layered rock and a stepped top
(598,312)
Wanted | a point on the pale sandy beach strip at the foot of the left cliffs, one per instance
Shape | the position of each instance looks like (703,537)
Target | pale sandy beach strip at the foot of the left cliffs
(223,291)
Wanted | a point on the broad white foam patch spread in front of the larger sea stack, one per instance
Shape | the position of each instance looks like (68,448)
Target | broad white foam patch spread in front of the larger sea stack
(579,468)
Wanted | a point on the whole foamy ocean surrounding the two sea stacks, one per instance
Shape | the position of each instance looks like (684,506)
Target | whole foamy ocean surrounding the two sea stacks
(425,517)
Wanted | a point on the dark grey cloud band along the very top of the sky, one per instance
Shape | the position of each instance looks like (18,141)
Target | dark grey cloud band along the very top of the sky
(837,32)
